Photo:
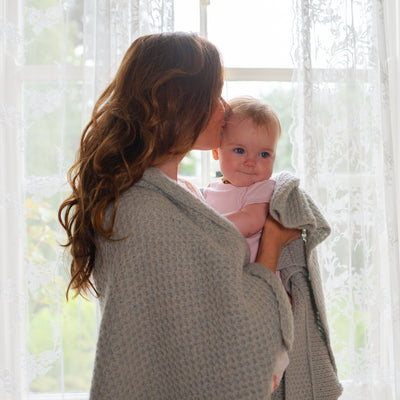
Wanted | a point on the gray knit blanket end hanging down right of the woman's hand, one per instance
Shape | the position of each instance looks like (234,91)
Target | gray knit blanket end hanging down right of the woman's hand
(311,374)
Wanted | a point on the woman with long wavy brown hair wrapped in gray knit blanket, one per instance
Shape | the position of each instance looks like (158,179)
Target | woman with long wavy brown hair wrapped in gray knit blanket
(184,313)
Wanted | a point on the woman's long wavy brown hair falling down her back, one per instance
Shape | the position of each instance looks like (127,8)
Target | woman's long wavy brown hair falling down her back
(161,98)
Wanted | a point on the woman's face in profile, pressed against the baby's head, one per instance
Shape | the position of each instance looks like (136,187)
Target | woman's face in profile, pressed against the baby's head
(210,138)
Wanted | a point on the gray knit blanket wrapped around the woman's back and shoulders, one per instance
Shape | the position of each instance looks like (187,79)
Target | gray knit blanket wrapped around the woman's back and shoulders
(184,315)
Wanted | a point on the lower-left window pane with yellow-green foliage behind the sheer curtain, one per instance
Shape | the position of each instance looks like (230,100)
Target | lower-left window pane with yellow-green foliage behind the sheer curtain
(59,334)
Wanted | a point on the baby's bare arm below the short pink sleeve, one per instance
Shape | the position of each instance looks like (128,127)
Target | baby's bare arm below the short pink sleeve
(250,219)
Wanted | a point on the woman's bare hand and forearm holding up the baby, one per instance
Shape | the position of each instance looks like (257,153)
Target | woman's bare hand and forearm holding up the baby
(274,237)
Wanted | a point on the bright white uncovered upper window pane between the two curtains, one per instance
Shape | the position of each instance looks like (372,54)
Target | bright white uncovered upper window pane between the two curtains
(255,33)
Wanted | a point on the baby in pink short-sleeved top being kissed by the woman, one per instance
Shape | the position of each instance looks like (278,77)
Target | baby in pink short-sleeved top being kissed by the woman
(246,157)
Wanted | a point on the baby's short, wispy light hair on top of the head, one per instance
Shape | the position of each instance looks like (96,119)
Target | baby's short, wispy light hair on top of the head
(262,114)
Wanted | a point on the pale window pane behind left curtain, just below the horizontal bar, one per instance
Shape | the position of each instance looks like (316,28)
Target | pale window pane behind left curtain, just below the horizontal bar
(52,113)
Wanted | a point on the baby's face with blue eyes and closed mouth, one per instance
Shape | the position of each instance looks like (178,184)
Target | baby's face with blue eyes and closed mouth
(247,152)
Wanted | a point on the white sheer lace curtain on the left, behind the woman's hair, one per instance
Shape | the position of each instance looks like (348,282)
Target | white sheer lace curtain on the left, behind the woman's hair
(56,57)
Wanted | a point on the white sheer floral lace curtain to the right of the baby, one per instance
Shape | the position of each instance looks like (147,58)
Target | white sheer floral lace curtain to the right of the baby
(345,153)
